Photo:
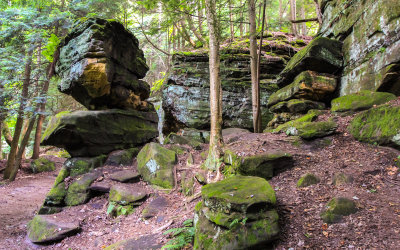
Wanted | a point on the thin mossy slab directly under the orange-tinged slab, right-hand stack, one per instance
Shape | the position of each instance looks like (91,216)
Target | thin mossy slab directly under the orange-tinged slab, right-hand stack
(296,106)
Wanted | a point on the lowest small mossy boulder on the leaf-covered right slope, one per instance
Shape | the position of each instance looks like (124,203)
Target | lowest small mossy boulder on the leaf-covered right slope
(337,208)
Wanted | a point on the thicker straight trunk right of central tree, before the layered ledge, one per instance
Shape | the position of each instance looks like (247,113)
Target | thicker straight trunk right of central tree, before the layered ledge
(255,89)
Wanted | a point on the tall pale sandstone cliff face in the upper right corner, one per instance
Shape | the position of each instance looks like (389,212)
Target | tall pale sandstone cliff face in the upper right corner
(370,31)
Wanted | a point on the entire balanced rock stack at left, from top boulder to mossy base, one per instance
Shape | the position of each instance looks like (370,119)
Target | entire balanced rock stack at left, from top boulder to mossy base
(100,65)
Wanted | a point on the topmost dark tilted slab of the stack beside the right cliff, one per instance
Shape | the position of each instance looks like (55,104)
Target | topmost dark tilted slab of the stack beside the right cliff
(322,55)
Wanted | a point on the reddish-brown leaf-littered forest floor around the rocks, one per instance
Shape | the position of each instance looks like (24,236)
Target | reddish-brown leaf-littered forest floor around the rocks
(375,188)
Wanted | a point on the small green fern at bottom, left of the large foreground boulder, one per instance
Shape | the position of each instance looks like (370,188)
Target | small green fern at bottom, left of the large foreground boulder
(181,237)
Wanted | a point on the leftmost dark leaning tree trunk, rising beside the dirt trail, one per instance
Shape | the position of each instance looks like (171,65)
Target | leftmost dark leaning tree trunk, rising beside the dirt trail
(18,126)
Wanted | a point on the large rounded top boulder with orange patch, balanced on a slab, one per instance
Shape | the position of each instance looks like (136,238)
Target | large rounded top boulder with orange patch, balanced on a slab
(101,65)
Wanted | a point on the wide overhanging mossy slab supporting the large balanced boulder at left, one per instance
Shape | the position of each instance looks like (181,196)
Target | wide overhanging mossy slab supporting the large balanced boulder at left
(92,133)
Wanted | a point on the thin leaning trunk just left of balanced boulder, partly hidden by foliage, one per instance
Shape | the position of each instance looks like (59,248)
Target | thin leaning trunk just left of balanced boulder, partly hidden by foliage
(43,94)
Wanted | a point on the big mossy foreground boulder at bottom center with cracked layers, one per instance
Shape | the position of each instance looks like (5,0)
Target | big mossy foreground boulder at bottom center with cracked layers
(236,213)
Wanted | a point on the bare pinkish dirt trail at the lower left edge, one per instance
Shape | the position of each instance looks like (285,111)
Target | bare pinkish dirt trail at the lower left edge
(18,203)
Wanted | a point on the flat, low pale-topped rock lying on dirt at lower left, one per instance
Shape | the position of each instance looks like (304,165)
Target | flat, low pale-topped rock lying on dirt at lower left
(47,229)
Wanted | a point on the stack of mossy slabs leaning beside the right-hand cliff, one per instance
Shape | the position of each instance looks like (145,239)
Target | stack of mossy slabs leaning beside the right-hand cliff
(308,81)
